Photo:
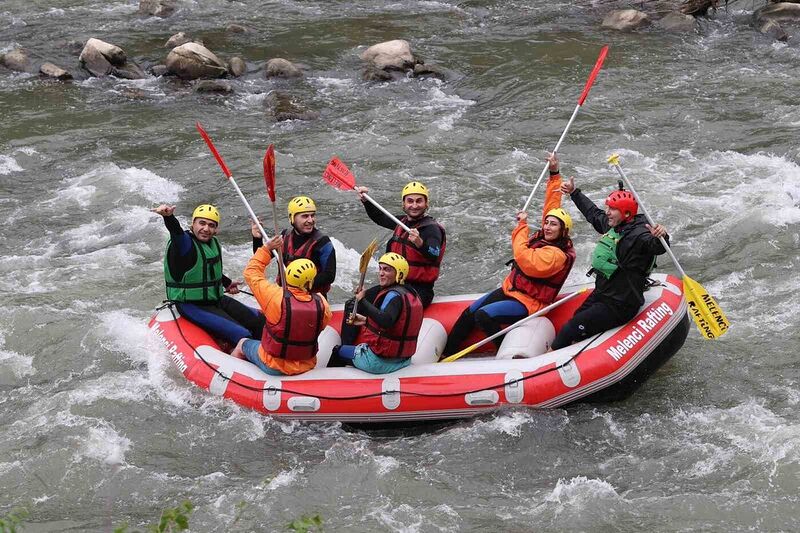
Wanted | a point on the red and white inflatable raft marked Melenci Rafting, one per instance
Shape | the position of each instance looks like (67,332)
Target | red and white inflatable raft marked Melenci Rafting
(604,368)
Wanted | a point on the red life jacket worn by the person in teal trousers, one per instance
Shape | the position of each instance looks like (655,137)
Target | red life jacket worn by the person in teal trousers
(400,340)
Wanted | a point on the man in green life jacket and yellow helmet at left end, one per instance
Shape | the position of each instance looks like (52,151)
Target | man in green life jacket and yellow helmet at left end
(194,278)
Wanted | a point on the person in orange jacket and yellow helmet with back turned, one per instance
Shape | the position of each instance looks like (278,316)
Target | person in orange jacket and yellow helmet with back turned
(295,316)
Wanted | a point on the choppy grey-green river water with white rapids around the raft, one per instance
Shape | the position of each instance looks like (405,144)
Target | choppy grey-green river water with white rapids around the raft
(99,429)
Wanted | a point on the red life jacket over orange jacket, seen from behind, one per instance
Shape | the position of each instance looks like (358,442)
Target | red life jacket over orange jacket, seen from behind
(294,337)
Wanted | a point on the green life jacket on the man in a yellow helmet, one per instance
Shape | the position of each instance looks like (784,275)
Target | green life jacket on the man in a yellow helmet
(203,282)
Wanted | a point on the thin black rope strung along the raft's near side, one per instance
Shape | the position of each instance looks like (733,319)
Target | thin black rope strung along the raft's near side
(374,394)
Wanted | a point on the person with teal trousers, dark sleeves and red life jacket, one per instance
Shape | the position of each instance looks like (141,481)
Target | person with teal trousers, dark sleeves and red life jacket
(391,321)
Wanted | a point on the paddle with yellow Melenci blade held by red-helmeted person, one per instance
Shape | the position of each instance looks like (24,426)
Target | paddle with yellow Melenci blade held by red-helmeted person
(707,315)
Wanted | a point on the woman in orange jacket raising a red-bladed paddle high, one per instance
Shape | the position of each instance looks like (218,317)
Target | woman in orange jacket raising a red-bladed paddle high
(540,267)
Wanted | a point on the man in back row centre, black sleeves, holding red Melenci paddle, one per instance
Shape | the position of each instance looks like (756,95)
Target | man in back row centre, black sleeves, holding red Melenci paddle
(423,247)
